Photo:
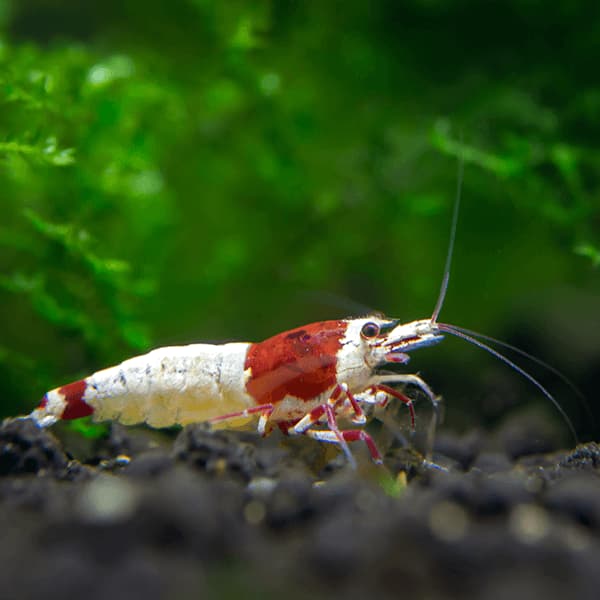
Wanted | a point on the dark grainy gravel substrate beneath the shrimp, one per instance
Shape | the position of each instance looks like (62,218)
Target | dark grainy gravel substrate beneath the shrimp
(206,514)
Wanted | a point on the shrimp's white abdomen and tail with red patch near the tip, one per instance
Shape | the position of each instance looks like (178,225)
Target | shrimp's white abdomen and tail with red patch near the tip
(167,386)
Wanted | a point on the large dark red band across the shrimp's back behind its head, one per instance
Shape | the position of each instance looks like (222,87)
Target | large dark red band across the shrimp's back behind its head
(299,363)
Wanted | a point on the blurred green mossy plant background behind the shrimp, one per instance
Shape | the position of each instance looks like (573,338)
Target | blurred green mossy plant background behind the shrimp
(196,170)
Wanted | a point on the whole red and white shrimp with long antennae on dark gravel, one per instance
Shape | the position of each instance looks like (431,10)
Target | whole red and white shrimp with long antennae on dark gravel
(302,380)
